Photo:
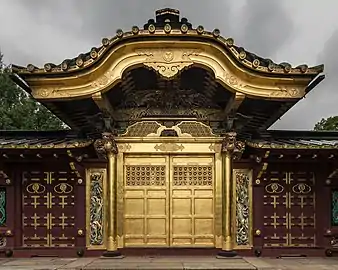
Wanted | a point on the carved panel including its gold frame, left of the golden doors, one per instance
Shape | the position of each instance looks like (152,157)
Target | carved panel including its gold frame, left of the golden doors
(96,209)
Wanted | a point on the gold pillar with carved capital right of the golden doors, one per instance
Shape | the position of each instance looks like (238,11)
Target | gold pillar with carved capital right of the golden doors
(230,150)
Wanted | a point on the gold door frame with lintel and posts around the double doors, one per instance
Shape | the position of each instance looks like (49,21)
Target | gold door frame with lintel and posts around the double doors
(193,147)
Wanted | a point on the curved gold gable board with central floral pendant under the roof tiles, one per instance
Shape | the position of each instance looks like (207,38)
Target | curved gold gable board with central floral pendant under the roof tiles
(168,59)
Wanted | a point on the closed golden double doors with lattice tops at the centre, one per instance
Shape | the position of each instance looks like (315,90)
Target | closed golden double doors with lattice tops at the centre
(169,201)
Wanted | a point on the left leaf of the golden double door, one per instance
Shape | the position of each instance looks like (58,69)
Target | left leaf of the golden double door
(146,202)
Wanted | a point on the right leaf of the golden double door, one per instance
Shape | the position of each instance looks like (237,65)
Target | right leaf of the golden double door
(192,201)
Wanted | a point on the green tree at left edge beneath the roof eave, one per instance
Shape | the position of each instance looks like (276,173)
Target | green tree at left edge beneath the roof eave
(19,111)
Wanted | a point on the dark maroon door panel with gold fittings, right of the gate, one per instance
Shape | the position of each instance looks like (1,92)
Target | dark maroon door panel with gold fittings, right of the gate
(289,207)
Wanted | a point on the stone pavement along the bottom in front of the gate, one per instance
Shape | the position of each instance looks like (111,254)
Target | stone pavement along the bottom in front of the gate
(167,263)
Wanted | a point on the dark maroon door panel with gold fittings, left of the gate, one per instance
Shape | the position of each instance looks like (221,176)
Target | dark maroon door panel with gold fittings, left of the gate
(48,209)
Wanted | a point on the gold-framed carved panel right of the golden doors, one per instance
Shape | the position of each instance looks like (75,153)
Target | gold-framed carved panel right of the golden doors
(243,218)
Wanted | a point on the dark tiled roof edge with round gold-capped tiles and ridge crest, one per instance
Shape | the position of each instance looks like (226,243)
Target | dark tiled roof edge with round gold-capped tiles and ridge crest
(169,25)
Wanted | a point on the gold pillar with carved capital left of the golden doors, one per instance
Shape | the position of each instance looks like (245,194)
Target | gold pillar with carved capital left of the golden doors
(107,148)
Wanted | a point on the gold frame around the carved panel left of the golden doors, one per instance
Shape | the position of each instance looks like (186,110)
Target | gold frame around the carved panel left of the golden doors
(88,201)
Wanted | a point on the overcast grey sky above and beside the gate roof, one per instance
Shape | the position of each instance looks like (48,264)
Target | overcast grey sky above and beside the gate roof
(295,31)
